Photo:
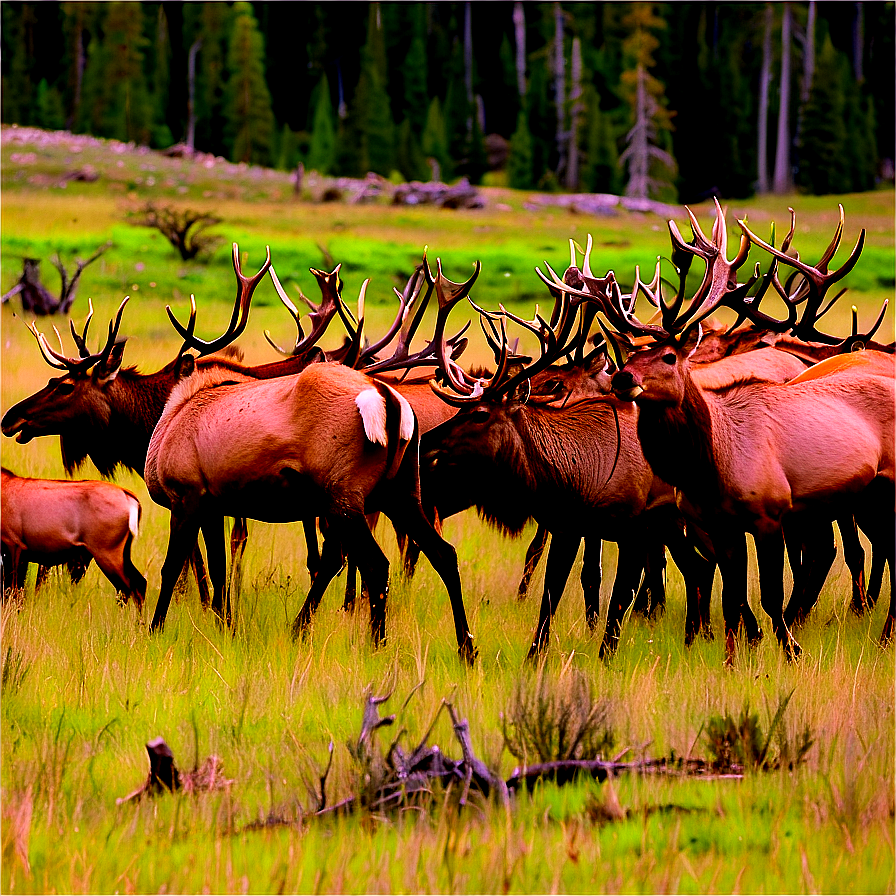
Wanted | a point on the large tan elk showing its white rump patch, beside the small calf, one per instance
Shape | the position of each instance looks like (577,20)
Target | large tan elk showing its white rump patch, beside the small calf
(328,442)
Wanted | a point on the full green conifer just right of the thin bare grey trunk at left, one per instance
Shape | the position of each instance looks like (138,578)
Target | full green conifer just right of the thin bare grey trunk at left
(250,121)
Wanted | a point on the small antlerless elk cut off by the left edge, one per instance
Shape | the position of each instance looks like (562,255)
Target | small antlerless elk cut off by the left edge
(53,522)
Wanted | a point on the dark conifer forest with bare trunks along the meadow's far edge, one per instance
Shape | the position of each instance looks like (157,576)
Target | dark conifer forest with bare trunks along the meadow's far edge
(658,100)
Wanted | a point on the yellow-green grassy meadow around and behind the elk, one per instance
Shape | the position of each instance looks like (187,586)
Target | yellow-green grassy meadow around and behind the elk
(85,687)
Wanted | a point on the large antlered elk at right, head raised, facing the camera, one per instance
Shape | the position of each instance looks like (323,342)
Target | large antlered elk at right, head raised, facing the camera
(751,457)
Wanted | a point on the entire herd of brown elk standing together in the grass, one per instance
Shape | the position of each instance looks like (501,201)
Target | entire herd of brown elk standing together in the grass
(642,421)
